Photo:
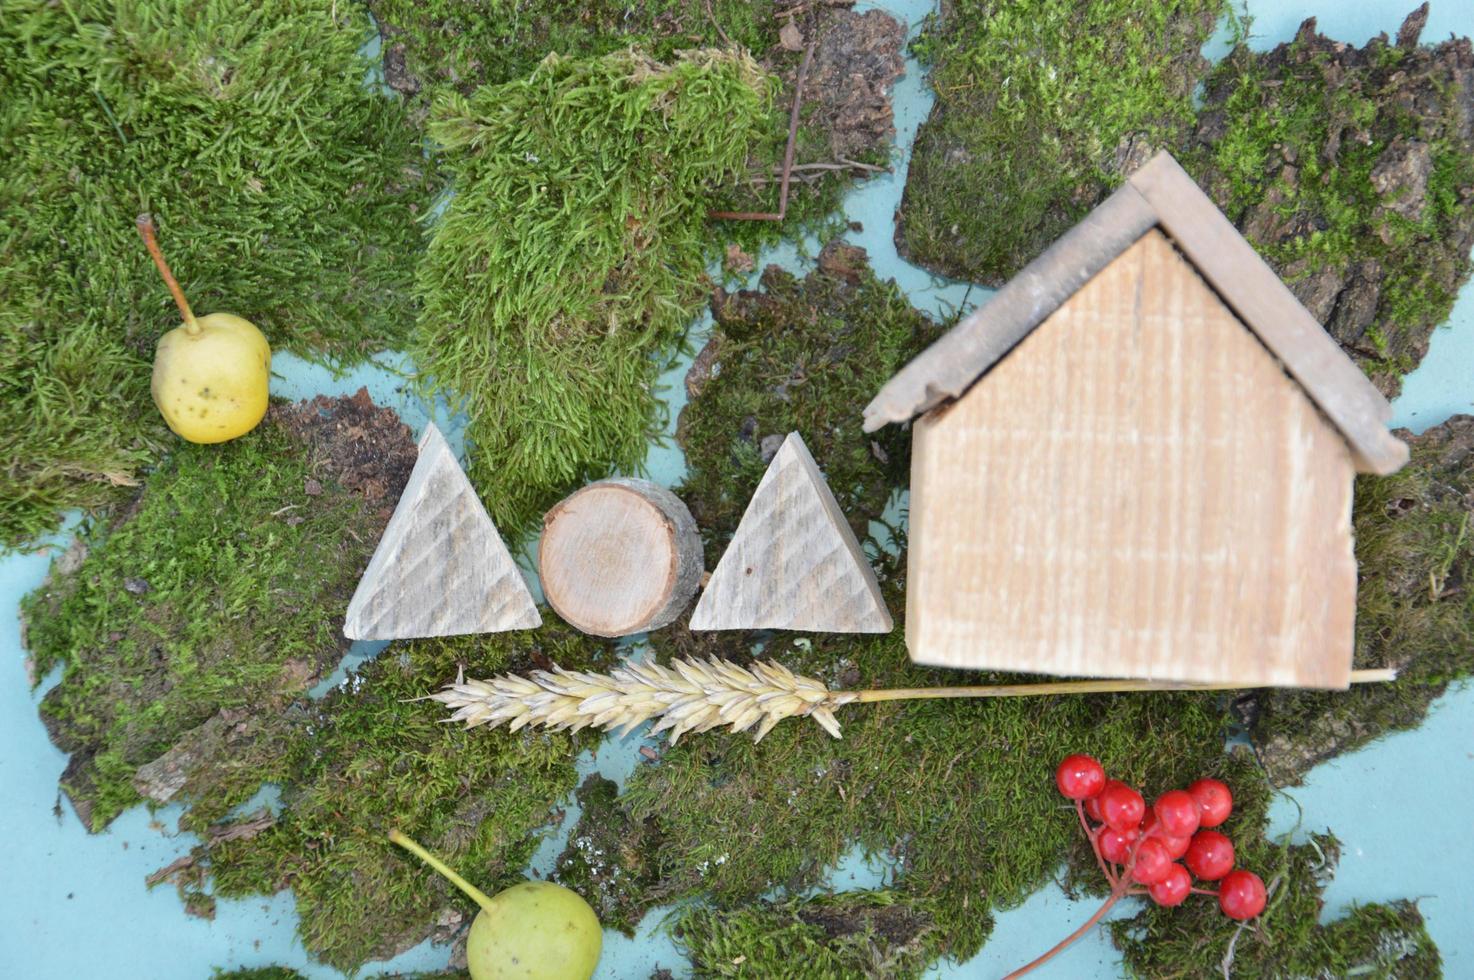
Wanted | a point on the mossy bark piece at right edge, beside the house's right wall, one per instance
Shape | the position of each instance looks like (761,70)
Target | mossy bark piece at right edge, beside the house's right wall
(1414,608)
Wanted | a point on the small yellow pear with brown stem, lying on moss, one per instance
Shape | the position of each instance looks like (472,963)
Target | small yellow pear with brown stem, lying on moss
(212,374)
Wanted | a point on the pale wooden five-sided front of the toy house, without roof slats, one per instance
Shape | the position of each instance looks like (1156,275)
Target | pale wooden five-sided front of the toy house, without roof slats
(1137,491)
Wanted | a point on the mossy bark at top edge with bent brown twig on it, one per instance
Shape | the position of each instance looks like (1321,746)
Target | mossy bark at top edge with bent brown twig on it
(439,46)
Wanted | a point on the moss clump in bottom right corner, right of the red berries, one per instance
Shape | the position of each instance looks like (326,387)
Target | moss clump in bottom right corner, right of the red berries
(1289,941)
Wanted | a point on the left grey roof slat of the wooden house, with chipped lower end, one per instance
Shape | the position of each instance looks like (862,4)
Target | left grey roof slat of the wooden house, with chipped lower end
(954,362)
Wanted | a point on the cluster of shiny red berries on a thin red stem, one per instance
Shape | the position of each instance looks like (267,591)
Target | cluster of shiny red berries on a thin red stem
(1140,850)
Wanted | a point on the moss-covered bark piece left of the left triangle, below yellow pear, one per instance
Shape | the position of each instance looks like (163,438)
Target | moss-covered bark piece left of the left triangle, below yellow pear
(219,593)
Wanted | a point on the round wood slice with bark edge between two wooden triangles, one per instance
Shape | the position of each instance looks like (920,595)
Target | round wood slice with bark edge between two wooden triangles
(620,556)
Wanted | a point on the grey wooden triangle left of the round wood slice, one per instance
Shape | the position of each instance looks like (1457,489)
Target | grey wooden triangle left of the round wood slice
(441,570)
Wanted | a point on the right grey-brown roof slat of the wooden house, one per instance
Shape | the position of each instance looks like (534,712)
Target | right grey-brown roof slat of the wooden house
(1267,306)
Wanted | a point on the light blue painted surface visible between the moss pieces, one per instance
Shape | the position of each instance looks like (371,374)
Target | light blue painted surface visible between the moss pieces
(74,904)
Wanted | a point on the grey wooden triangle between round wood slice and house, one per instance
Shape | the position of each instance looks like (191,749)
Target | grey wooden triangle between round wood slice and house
(795,562)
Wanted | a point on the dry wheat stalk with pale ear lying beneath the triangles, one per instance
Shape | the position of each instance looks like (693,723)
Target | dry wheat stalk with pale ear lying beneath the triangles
(704,695)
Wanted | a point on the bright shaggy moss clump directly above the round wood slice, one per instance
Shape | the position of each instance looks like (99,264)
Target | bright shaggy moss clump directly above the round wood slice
(571,256)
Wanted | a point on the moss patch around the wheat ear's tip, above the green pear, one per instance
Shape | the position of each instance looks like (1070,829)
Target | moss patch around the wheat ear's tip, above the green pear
(368,758)
